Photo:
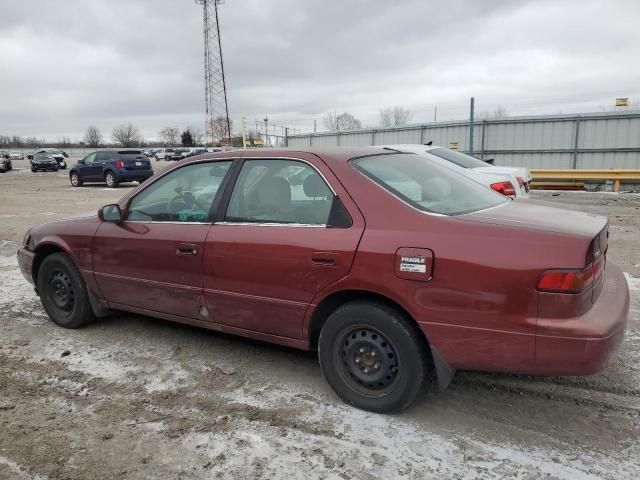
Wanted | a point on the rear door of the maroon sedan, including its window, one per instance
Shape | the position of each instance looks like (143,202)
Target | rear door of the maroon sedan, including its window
(278,245)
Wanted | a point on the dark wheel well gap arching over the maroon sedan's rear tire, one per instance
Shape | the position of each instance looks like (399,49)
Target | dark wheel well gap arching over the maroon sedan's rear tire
(329,304)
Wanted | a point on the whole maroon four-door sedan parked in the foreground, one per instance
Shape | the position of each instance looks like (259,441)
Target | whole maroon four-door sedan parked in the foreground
(391,266)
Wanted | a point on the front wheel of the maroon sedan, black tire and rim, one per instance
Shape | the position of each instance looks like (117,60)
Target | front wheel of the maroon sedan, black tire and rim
(63,292)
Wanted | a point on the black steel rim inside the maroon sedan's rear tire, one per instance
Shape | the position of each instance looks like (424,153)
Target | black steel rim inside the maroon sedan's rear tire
(367,361)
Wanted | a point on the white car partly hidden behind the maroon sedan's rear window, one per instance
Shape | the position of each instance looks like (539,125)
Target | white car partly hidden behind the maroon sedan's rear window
(509,181)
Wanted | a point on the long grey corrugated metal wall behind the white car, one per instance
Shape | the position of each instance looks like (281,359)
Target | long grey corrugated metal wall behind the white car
(593,140)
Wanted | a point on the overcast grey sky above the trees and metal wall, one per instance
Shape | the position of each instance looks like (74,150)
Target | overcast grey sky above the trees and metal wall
(70,63)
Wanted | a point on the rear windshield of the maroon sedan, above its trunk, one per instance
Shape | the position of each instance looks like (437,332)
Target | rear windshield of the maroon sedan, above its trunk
(426,185)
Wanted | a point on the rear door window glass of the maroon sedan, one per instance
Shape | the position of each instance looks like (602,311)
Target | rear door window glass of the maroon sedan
(280,191)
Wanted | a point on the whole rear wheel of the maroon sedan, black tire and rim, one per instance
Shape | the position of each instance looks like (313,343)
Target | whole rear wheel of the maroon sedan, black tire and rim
(373,357)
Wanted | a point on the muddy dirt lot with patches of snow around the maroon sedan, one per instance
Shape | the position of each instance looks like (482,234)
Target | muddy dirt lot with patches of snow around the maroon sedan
(135,397)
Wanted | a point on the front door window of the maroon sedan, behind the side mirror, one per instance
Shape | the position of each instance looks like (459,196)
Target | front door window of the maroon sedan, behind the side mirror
(183,195)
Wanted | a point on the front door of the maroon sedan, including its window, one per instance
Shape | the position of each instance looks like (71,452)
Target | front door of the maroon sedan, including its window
(153,259)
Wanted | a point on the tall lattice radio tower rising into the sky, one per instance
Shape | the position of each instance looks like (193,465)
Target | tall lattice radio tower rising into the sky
(215,89)
